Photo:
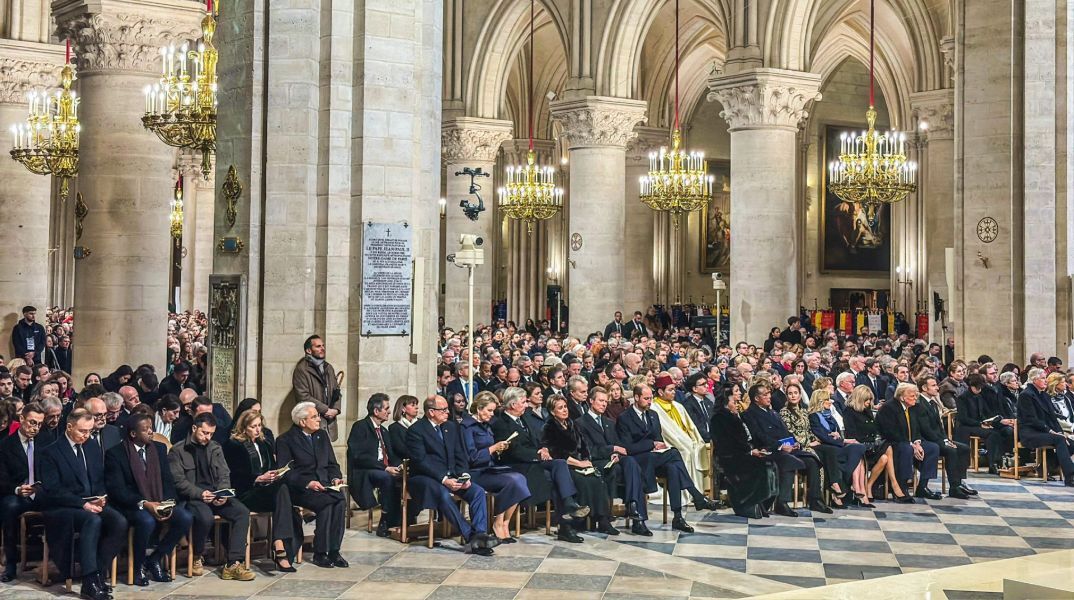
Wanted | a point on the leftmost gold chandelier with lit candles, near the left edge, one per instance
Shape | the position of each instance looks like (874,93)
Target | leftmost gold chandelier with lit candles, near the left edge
(48,143)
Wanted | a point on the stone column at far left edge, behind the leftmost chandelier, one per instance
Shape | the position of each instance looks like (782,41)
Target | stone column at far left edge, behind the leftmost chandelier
(25,198)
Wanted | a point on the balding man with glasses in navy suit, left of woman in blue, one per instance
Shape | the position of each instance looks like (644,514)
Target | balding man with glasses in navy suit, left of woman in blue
(440,462)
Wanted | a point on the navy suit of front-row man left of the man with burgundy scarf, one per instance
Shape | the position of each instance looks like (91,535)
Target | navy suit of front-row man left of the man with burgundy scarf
(66,481)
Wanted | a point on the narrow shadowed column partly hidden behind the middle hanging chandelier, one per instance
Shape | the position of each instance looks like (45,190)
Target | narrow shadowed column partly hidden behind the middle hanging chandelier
(640,247)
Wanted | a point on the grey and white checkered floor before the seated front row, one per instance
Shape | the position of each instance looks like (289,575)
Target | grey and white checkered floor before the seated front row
(727,557)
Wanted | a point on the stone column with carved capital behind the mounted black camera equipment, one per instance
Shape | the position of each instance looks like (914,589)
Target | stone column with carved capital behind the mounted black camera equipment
(471,143)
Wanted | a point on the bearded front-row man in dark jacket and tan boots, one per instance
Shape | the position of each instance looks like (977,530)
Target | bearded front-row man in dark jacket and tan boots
(204,479)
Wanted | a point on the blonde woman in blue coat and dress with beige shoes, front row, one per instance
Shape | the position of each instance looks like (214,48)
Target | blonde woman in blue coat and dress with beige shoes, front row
(510,488)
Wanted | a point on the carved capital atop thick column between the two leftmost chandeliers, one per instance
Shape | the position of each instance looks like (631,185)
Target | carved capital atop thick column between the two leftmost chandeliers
(124,42)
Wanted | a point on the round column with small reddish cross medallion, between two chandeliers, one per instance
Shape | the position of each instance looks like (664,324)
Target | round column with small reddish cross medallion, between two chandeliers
(598,130)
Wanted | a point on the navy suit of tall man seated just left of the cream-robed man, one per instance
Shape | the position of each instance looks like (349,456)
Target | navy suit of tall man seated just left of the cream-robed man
(640,436)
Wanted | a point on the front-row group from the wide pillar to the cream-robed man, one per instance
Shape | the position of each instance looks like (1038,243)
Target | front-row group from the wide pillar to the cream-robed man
(520,456)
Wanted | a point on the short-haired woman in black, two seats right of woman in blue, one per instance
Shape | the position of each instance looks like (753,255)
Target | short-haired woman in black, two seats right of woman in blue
(563,441)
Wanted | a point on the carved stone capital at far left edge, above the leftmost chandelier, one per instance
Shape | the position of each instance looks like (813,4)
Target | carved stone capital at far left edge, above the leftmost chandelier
(26,67)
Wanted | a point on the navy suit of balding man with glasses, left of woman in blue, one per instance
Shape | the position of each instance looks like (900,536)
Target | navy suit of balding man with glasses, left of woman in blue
(436,456)
